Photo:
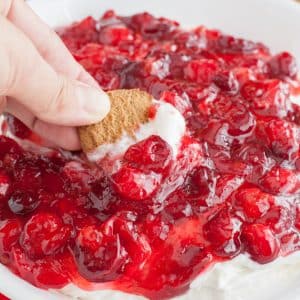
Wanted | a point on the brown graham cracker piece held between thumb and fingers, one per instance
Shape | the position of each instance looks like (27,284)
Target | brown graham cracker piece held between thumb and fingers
(129,109)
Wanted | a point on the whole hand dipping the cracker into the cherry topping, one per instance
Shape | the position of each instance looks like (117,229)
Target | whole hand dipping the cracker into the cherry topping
(40,82)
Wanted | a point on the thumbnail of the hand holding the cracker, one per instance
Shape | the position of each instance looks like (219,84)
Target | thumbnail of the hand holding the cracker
(94,102)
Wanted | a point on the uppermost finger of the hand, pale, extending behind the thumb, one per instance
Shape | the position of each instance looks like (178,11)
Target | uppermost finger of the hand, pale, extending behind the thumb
(47,42)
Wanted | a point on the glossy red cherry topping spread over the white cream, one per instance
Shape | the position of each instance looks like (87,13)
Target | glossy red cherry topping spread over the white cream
(158,222)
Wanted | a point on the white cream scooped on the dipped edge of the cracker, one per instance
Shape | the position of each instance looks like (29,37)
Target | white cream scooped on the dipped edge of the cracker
(168,123)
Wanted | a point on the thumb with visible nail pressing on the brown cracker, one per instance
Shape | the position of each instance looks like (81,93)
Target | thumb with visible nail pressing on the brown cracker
(53,98)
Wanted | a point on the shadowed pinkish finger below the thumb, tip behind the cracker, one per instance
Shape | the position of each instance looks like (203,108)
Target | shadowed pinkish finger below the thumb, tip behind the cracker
(61,136)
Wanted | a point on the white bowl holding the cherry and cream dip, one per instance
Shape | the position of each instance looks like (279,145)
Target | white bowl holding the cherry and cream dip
(274,22)
